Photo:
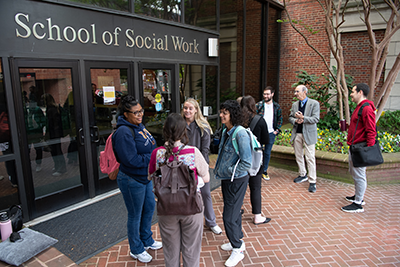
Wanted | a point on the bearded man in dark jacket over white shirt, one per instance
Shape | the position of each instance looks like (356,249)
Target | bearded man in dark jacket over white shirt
(272,113)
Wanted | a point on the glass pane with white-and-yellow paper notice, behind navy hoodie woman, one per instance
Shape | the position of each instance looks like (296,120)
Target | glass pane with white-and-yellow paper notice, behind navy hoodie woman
(108,86)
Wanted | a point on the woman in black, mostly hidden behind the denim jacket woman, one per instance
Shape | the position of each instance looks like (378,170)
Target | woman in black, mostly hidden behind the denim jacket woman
(260,130)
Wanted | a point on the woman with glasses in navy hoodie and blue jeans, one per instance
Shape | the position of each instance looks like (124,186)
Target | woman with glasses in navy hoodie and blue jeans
(133,145)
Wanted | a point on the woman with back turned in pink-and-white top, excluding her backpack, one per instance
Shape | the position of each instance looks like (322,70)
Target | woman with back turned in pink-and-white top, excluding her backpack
(180,233)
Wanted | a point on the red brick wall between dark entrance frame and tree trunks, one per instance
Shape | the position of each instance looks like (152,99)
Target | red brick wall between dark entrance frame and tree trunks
(295,53)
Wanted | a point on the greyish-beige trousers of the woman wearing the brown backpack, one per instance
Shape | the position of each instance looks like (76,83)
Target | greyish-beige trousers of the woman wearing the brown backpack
(181,233)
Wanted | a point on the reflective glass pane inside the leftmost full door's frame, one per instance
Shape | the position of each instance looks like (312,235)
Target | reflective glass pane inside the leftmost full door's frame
(48,105)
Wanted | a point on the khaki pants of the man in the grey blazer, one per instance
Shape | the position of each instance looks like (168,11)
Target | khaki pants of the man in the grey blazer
(301,149)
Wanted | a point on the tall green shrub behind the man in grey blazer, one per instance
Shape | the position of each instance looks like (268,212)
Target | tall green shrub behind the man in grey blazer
(323,93)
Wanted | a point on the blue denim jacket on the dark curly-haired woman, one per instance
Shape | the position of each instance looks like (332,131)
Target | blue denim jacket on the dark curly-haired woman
(227,157)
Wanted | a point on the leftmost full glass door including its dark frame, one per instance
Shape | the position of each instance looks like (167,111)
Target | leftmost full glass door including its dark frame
(47,103)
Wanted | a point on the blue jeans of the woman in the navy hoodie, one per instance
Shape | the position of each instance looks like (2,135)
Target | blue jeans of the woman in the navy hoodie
(140,203)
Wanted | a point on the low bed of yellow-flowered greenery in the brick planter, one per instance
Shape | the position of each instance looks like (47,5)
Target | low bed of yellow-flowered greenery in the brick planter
(336,141)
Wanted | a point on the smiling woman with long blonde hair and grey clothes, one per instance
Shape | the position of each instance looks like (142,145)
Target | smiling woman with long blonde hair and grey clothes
(199,134)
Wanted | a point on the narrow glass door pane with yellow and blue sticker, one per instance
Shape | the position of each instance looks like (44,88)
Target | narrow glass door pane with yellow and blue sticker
(157,101)
